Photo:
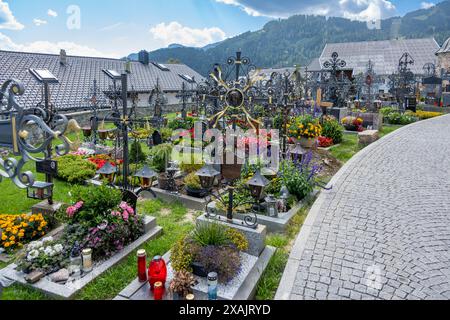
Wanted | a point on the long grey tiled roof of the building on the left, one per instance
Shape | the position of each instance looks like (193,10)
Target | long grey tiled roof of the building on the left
(76,77)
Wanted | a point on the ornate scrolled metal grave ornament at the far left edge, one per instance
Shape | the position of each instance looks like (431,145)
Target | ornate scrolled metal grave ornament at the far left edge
(14,134)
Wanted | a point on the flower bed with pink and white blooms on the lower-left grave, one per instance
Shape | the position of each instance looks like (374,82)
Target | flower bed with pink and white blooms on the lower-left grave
(98,220)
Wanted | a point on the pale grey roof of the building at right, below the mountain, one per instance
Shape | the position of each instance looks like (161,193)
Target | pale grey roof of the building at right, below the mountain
(384,54)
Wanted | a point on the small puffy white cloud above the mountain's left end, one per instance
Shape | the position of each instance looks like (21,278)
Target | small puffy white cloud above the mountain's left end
(174,32)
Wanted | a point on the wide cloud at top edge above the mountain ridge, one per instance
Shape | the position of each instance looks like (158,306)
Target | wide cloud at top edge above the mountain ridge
(362,10)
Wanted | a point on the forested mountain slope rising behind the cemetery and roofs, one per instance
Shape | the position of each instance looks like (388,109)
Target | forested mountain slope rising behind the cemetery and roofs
(301,38)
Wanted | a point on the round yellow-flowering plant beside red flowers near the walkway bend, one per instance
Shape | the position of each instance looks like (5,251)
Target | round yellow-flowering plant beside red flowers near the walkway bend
(305,130)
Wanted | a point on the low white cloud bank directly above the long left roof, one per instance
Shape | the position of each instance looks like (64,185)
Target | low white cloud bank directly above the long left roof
(71,48)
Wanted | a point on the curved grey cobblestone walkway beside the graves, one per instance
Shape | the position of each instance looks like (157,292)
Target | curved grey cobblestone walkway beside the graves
(383,232)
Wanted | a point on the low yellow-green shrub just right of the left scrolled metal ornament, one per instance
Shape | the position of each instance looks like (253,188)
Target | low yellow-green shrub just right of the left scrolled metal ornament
(75,169)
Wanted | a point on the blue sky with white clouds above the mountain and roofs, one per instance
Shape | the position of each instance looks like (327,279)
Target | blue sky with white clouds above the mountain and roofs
(115,28)
